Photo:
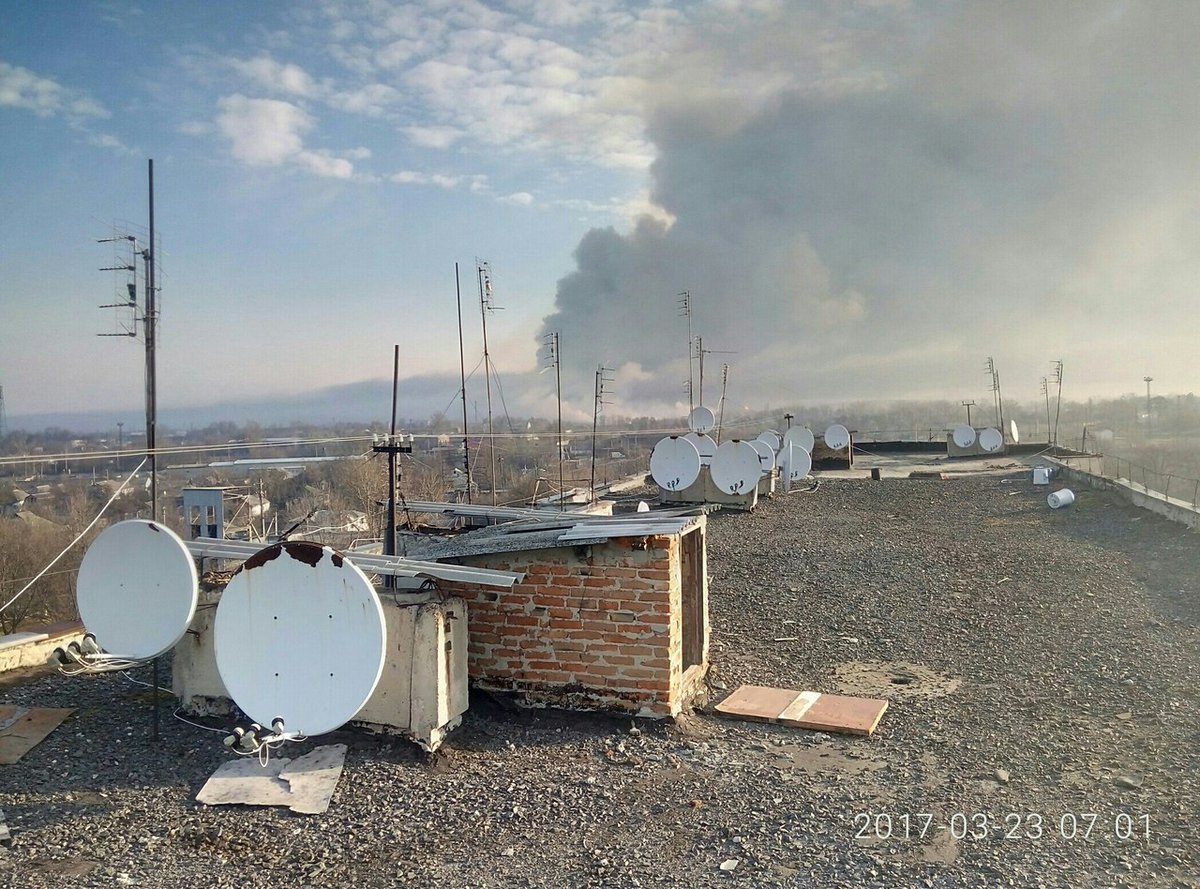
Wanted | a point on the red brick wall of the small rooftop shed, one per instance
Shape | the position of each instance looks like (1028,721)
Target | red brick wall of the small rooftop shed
(591,627)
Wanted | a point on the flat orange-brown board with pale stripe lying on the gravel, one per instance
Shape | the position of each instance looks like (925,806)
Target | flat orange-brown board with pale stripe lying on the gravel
(805,710)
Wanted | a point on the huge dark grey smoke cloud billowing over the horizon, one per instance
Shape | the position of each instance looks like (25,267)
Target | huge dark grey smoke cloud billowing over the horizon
(1012,181)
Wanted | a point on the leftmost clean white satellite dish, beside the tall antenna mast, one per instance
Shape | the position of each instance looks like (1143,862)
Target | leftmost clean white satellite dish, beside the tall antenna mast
(137,590)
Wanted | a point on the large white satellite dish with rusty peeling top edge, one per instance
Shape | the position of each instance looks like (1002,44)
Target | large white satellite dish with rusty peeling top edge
(299,635)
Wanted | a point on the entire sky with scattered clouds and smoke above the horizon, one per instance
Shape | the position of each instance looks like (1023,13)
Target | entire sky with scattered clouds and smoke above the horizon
(863,200)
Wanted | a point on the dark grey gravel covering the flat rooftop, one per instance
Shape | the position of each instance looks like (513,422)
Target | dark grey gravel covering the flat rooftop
(1099,618)
